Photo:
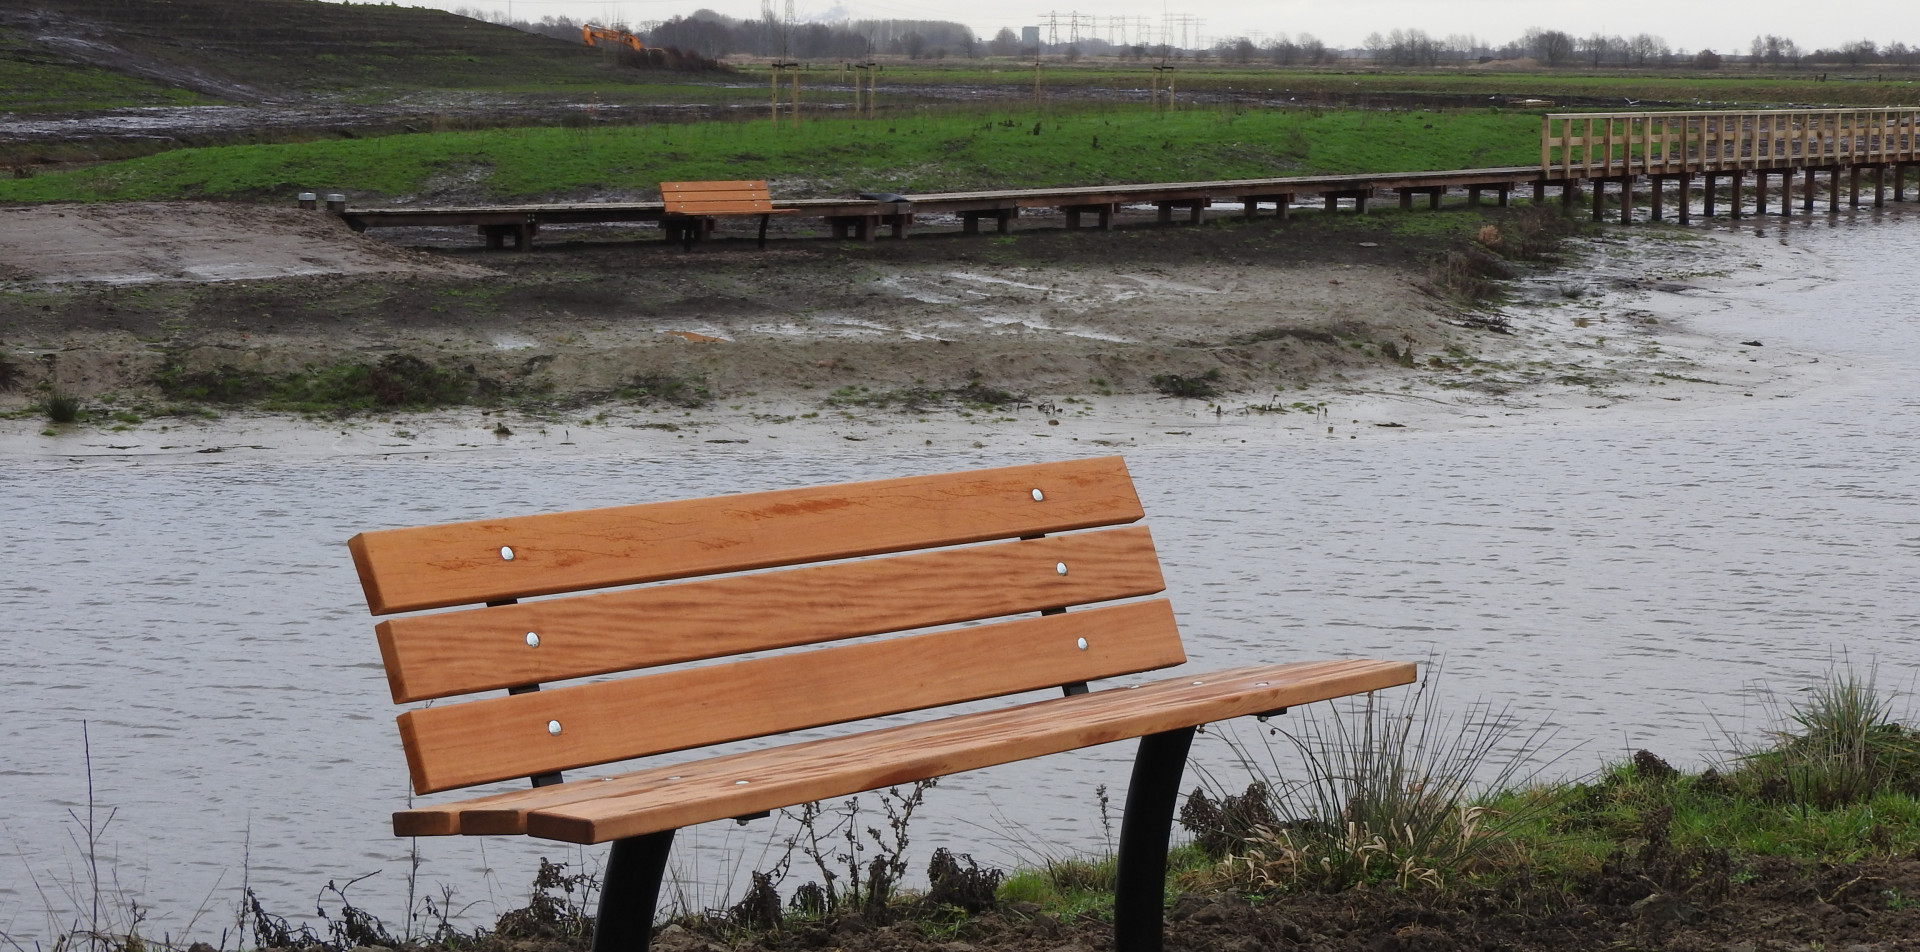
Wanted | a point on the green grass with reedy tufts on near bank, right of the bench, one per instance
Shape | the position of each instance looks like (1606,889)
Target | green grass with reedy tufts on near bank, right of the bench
(1835,782)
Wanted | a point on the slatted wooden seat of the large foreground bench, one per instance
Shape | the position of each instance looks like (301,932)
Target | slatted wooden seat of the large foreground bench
(677,796)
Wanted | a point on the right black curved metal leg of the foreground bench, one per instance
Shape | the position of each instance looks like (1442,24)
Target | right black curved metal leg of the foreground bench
(1141,878)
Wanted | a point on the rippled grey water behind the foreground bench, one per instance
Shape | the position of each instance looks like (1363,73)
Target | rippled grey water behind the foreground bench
(1621,581)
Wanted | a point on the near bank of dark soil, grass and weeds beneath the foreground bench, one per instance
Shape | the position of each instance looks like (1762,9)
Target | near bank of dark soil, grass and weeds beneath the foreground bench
(1391,813)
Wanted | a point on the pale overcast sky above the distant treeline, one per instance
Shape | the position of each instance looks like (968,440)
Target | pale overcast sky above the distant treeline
(1683,24)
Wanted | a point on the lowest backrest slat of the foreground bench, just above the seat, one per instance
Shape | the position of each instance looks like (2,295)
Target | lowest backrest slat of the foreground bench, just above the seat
(617,721)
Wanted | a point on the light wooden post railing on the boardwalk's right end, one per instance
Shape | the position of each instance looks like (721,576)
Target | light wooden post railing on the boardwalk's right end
(1677,143)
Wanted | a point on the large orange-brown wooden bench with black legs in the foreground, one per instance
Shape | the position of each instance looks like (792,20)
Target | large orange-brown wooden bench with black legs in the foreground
(959,548)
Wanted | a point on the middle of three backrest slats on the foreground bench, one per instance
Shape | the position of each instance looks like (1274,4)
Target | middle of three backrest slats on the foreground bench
(481,650)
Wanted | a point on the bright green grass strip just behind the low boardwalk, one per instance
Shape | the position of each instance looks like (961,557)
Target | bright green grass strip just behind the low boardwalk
(823,158)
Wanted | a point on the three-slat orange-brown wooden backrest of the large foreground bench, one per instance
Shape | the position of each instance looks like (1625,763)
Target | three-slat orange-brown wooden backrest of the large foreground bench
(794,567)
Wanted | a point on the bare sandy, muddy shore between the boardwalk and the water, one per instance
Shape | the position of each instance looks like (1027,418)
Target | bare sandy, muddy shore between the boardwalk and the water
(903,345)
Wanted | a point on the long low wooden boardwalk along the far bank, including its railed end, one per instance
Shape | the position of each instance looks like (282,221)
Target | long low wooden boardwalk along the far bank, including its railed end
(1579,153)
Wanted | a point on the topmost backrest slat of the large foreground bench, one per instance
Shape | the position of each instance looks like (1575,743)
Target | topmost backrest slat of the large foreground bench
(462,563)
